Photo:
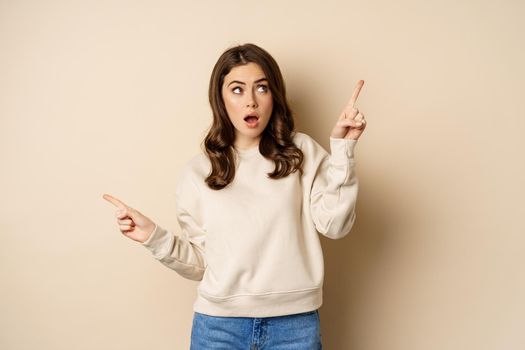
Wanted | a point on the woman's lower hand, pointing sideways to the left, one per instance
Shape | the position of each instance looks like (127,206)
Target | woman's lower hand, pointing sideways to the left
(132,223)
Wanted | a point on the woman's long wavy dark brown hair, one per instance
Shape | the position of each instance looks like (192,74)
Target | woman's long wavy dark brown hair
(276,139)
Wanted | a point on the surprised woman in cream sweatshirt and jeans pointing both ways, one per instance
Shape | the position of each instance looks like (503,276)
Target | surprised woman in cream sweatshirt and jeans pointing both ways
(251,209)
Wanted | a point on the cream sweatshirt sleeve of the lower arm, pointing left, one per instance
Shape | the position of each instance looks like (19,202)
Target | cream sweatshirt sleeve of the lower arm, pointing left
(183,253)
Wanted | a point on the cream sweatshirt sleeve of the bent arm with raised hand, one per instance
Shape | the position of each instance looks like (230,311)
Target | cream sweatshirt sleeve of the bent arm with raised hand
(334,189)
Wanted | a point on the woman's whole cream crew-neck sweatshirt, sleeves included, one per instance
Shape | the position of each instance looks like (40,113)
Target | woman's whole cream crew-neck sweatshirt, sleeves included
(254,245)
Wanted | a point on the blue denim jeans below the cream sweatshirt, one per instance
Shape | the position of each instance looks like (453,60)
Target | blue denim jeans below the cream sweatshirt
(300,331)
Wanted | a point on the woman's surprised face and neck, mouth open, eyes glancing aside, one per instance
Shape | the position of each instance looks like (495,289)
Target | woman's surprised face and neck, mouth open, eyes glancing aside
(246,92)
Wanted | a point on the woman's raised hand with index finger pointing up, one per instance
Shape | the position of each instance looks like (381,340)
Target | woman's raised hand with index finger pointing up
(351,123)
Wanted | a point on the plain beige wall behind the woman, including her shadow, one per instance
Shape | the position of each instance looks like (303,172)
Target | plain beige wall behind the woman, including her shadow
(111,97)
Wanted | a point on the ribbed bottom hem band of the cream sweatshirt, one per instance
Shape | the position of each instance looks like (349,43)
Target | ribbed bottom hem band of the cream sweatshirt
(261,305)
